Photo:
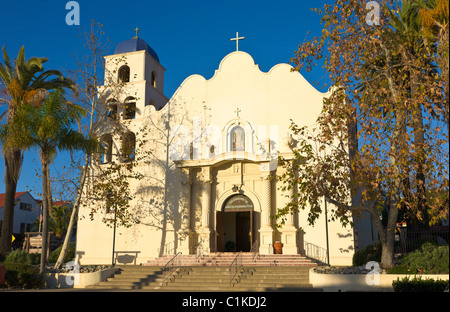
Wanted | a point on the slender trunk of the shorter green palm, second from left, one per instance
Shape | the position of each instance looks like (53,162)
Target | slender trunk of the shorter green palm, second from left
(45,209)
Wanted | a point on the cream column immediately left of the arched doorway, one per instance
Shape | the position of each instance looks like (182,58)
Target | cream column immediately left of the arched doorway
(205,229)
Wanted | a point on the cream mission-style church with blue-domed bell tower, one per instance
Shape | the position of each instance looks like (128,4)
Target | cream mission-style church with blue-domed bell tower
(208,178)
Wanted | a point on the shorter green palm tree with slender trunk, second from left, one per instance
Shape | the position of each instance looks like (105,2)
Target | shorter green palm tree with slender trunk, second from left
(49,127)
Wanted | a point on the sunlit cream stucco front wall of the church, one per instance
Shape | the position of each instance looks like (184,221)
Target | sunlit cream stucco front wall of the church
(266,103)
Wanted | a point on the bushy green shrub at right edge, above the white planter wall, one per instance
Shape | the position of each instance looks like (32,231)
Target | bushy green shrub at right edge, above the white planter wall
(429,259)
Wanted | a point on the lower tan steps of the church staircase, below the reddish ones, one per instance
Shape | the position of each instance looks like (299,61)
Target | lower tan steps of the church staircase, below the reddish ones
(209,279)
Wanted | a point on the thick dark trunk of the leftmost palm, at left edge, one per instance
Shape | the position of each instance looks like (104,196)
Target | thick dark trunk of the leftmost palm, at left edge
(13,163)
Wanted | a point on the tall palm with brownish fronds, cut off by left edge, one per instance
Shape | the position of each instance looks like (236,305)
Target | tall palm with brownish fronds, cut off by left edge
(24,82)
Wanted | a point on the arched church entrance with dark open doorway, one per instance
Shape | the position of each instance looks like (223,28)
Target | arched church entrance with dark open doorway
(236,225)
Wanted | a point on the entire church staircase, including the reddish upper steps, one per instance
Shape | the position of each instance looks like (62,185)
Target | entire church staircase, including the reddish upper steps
(211,273)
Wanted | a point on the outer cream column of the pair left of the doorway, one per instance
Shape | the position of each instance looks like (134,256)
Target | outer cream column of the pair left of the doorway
(185,234)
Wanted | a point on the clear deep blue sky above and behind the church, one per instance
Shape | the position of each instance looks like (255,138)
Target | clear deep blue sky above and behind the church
(190,37)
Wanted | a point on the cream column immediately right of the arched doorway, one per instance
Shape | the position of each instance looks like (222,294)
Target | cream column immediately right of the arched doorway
(266,230)
